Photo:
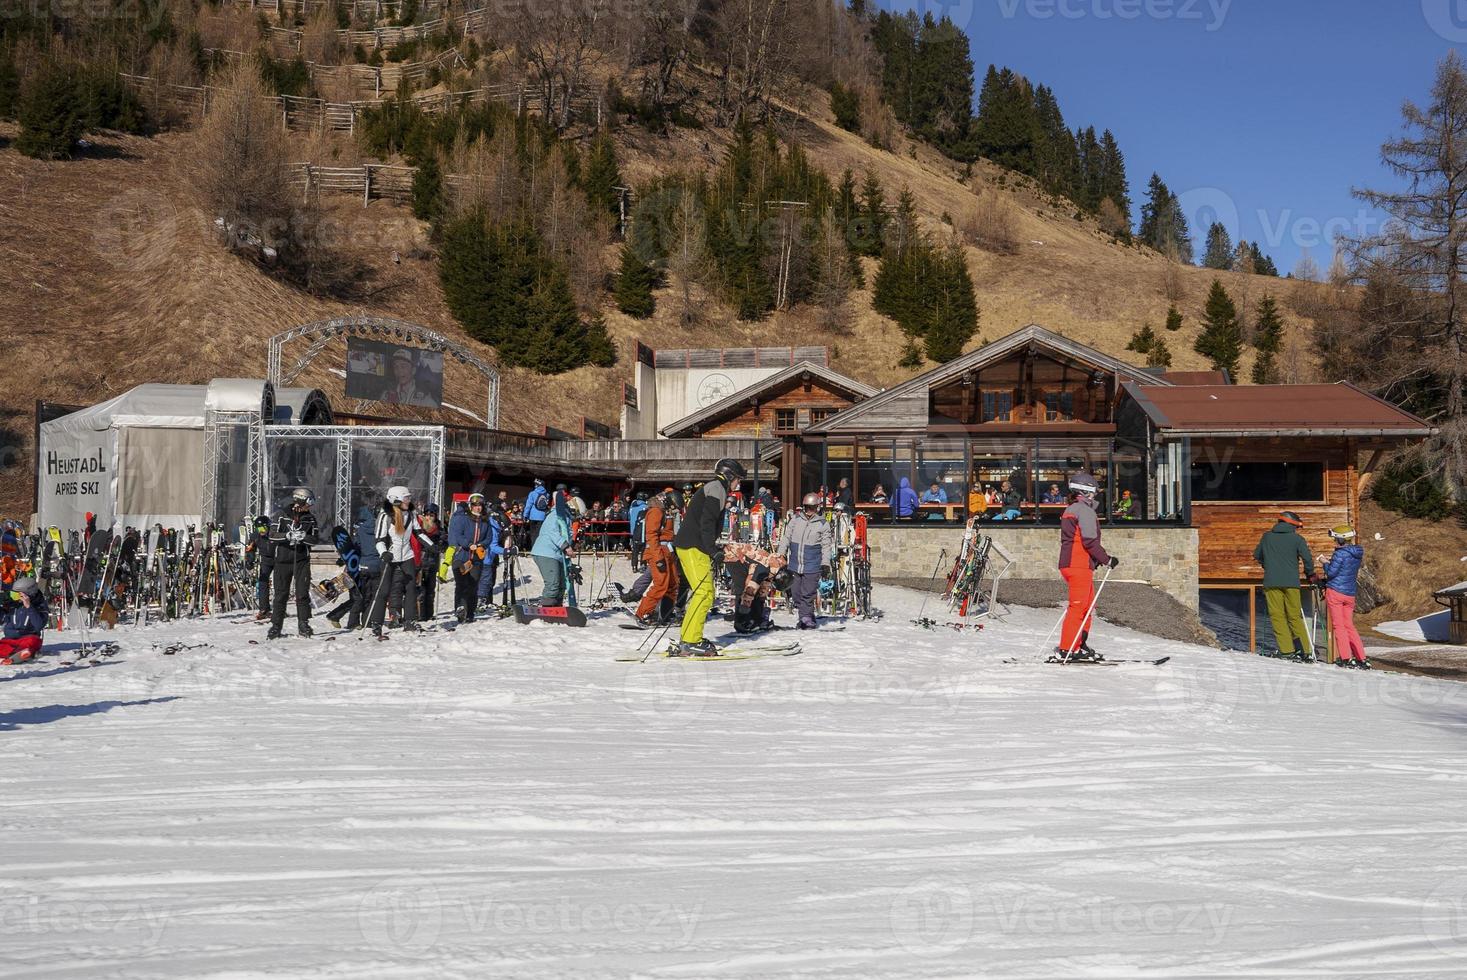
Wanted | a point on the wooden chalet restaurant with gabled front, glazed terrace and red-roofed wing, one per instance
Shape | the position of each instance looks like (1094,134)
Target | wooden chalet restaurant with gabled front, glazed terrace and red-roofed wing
(1192,473)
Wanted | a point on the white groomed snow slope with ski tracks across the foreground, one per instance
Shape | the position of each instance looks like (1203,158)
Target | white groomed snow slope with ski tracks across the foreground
(510,802)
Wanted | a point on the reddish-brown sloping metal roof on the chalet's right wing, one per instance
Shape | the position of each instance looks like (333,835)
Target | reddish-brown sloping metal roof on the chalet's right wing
(1274,410)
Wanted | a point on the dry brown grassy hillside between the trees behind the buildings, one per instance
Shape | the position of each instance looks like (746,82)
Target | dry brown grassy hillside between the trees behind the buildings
(112,277)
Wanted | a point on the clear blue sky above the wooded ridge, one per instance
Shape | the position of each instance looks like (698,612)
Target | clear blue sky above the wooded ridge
(1243,106)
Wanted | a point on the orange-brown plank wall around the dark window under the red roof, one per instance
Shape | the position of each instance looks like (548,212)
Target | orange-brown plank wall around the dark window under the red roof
(1230,530)
